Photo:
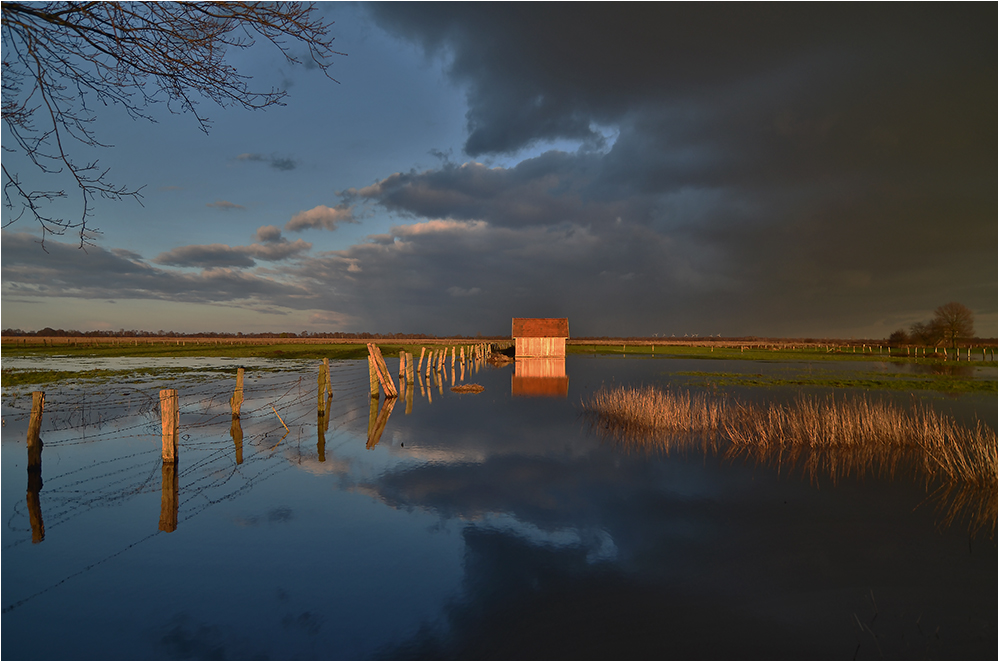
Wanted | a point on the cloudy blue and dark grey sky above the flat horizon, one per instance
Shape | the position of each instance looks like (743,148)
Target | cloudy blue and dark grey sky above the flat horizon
(818,170)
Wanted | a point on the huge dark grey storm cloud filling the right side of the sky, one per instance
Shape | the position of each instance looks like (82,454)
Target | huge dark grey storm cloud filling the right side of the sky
(791,169)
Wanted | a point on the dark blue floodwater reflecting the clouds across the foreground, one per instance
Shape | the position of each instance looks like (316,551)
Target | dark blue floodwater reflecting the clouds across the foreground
(445,525)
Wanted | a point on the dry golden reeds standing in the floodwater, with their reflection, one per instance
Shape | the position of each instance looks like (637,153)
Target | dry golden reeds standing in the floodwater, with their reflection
(825,436)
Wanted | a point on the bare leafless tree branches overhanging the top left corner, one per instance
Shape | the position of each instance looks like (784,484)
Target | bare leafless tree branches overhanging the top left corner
(59,58)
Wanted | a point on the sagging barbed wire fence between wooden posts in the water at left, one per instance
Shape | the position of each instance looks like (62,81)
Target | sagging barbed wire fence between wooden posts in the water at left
(222,457)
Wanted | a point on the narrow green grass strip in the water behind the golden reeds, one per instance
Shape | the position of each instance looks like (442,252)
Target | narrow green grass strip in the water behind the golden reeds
(860,381)
